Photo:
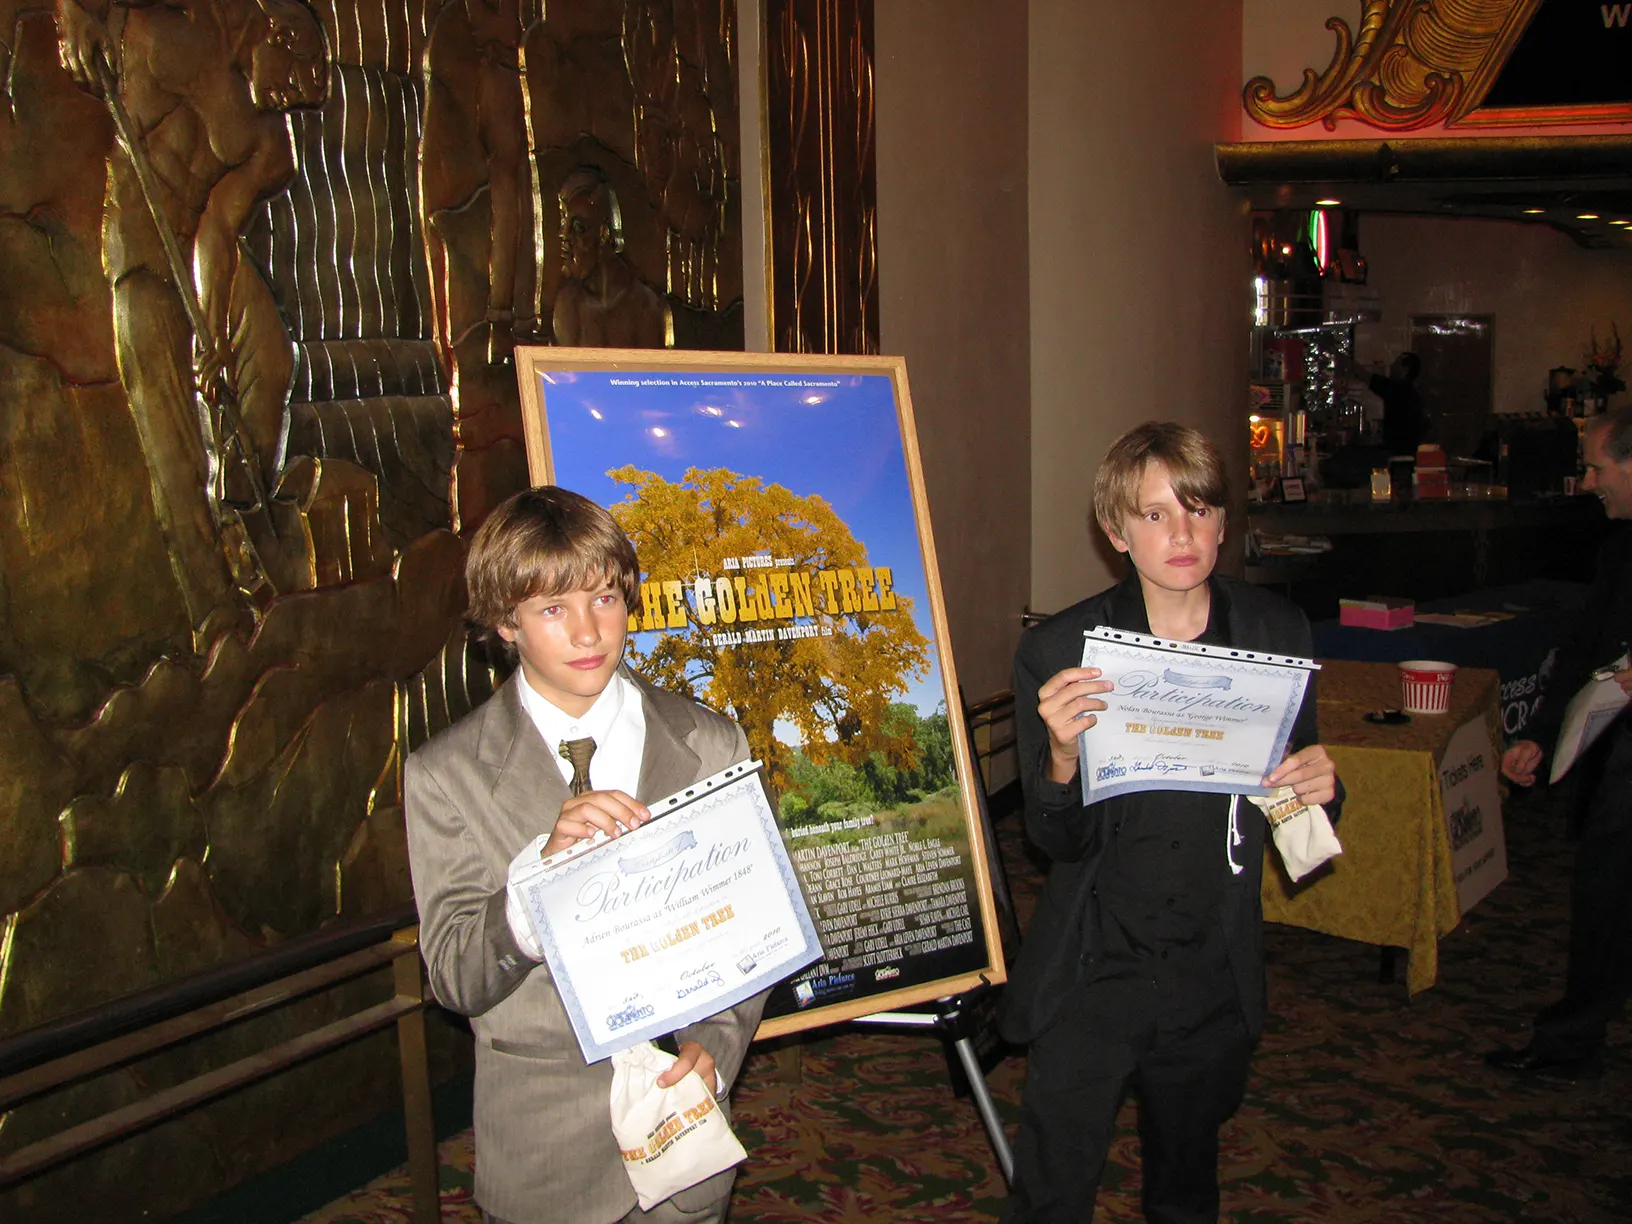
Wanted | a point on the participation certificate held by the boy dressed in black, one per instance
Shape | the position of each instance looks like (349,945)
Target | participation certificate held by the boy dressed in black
(1187,717)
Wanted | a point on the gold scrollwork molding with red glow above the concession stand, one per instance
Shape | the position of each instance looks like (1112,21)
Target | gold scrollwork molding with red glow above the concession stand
(1412,64)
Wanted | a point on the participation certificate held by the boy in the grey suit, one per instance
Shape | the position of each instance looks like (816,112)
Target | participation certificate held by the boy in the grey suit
(683,918)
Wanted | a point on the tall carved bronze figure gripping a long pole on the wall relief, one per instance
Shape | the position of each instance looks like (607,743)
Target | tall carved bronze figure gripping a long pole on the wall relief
(198,92)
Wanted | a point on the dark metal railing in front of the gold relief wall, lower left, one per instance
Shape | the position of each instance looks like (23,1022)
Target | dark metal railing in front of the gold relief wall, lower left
(73,1049)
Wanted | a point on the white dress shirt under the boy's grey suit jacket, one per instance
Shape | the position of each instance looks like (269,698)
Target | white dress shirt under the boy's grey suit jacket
(618,724)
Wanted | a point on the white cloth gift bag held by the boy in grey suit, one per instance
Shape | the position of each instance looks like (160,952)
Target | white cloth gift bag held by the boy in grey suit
(672,1138)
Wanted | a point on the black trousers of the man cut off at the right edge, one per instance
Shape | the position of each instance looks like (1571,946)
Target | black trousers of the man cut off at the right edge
(1600,972)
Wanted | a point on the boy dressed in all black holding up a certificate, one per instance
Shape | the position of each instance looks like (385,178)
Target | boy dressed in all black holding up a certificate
(1145,960)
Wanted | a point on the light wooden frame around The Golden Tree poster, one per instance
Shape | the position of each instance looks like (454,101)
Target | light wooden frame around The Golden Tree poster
(743,373)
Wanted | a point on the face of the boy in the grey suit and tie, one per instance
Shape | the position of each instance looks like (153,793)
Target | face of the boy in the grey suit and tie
(570,644)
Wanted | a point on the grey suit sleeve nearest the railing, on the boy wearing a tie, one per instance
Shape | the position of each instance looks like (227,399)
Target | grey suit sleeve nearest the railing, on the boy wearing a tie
(471,956)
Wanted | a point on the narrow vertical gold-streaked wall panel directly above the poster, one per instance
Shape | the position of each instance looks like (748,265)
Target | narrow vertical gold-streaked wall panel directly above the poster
(822,175)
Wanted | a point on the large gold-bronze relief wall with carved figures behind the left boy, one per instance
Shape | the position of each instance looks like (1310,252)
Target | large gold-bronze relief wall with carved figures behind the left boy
(265,264)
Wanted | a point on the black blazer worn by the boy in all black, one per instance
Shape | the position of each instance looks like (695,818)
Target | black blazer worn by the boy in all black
(1050,964)
